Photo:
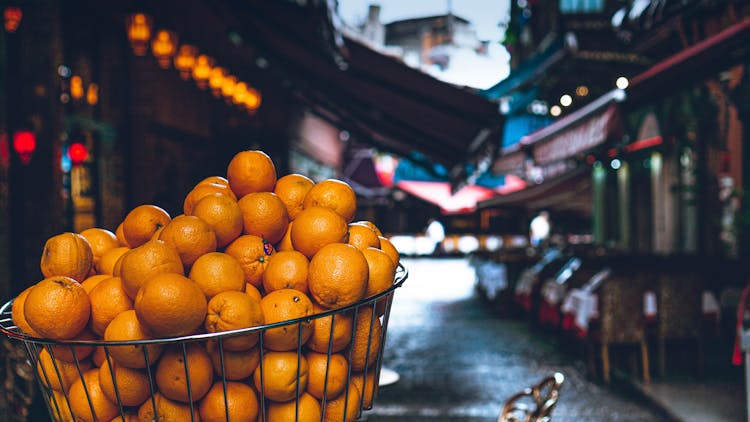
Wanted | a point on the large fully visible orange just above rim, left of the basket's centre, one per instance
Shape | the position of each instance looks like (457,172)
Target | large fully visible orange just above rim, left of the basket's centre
(170,305)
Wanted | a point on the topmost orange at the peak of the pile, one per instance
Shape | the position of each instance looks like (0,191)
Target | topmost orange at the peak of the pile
(251,171)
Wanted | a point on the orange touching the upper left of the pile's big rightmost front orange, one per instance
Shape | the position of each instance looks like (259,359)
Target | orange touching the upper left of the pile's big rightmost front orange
(316,227)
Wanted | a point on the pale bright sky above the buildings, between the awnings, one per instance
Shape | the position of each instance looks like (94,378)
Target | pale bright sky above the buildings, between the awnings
(466,67)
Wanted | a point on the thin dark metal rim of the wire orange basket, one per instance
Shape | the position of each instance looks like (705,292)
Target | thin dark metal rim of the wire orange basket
(9,329)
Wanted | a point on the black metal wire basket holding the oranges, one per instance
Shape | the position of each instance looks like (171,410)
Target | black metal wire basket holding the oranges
(55,380)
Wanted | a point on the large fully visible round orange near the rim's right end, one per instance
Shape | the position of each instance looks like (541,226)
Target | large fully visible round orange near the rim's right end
(337,275)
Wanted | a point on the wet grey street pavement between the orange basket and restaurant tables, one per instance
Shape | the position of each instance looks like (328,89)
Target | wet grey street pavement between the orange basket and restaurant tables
(458,360)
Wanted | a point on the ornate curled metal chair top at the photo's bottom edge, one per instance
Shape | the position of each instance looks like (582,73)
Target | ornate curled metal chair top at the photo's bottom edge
(535,403)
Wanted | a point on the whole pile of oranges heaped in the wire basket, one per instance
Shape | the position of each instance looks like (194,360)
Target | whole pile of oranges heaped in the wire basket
(249,250)
